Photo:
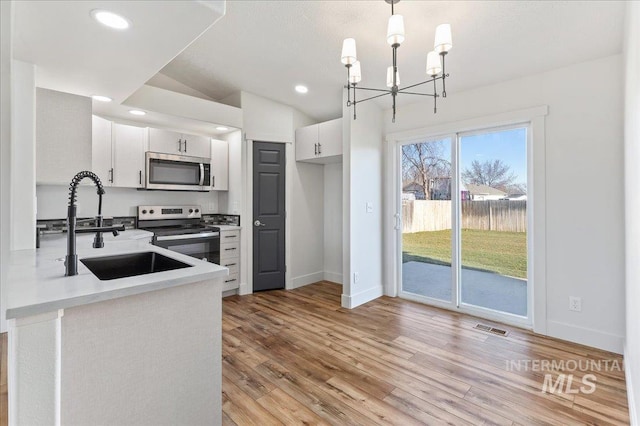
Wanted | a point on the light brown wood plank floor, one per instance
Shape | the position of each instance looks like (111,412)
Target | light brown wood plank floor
(296,357)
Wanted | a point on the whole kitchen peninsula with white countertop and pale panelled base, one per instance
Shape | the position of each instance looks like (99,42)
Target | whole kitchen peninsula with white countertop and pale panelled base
(143,349)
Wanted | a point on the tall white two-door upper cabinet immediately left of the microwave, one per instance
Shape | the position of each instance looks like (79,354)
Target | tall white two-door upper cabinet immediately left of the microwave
(118,153)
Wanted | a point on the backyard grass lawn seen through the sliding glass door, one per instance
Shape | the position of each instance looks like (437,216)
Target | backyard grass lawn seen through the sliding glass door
(500,252)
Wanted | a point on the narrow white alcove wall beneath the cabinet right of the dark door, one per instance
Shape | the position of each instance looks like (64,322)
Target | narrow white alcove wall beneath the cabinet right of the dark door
(333,222)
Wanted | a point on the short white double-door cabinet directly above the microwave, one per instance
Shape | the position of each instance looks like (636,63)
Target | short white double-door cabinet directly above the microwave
(170,142)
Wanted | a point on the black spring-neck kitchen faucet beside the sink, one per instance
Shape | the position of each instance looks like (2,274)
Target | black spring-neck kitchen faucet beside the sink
(71,260)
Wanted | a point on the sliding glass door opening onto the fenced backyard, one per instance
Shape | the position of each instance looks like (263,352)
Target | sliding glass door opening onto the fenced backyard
(464,221)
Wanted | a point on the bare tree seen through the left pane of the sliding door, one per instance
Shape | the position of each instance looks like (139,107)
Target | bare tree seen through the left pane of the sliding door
(424,162)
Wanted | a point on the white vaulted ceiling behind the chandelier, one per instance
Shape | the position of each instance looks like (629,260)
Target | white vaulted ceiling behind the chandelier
(267,47)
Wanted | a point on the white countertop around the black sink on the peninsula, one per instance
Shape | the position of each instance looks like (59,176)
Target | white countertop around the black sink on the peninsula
(36,283)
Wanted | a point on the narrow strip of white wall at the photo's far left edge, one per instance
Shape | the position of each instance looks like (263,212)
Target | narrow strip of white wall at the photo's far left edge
(6,14)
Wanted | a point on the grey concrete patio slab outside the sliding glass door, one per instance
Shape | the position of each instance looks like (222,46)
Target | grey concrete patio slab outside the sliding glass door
(486,289)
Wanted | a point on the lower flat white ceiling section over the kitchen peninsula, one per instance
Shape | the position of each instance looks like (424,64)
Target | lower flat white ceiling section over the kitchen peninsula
(75,54)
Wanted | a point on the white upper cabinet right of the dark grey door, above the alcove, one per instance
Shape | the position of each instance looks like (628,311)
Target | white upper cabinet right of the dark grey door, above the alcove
(320,143)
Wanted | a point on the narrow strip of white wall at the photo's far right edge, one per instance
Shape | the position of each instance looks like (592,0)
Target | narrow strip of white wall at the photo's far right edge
(632,208)
